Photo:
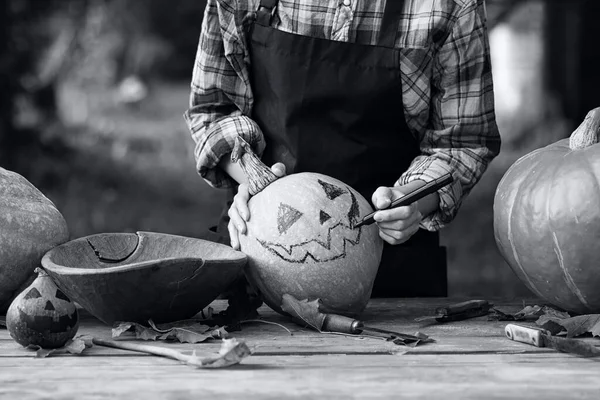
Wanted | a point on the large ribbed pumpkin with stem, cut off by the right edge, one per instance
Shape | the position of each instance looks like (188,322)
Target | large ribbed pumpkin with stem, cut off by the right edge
(547,219)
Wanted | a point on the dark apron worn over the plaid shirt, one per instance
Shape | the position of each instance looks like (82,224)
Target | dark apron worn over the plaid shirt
(336,108)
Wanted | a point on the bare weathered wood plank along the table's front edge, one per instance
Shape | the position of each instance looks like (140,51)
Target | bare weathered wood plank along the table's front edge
(548,376)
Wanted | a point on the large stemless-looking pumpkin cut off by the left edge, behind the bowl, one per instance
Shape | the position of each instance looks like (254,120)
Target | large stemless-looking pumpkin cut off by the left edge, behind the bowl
(30,225)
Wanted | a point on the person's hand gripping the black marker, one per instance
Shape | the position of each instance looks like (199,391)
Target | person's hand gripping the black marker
(396,225)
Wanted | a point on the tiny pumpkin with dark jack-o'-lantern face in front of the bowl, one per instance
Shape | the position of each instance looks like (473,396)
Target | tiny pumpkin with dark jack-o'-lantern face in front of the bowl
(42,315)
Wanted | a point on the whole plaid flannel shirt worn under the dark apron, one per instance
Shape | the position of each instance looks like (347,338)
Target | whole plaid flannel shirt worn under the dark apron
(445,68)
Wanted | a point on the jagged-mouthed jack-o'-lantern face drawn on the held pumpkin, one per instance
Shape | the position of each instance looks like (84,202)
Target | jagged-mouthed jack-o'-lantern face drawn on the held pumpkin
(318,234)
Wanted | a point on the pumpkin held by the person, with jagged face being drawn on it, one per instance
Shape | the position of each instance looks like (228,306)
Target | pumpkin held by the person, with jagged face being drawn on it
(300,239)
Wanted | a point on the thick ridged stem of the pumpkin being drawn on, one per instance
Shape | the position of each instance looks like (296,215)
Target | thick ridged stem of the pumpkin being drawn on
(259,175)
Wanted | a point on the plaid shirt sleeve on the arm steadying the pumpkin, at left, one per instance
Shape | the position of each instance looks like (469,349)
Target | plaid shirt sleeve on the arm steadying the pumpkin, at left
(220,99)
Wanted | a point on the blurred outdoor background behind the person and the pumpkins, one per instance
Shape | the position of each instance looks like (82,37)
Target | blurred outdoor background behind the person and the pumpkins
(92,94)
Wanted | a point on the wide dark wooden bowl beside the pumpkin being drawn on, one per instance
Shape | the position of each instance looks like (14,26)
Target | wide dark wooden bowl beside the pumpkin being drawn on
(136,277)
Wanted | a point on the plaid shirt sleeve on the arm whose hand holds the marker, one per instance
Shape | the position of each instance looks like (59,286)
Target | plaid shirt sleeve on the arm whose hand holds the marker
(462,137)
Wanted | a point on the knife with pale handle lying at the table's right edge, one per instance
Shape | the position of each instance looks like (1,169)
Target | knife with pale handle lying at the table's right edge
(540,337)
